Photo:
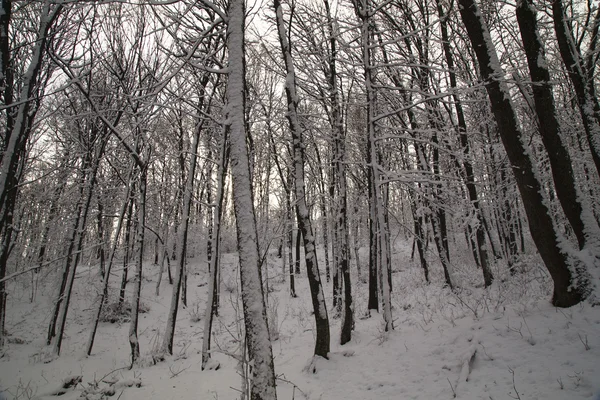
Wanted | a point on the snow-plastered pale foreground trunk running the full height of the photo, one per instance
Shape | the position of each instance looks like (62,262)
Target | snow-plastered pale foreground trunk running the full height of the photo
(260,352)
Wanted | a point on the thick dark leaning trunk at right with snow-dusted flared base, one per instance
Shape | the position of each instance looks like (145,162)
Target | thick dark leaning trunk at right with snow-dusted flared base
(568,274)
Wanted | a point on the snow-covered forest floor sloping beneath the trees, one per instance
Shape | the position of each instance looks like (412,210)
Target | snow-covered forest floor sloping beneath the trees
(501,343)
